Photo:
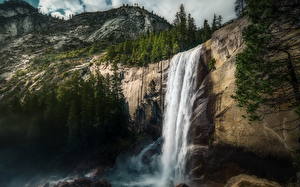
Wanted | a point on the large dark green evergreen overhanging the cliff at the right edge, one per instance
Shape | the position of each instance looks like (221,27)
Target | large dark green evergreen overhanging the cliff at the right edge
(266,69)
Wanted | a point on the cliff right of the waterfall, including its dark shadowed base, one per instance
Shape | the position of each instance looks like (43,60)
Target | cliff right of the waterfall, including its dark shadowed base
(224,143)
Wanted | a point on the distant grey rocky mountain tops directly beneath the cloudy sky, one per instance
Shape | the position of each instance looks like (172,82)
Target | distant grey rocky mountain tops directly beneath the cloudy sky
(19,18)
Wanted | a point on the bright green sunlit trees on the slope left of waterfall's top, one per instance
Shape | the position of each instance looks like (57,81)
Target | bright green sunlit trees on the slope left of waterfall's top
(149,48)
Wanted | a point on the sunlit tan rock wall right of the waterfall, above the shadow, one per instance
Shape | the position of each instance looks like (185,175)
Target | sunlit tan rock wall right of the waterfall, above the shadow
(278,134)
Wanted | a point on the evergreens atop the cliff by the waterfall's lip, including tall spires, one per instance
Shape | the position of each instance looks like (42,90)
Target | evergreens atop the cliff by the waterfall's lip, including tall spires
(154,47)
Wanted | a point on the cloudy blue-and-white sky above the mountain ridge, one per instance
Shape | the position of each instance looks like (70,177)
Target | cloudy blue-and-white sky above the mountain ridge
(200,9)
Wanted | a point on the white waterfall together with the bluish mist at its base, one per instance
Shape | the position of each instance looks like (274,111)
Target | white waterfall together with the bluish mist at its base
(163,163)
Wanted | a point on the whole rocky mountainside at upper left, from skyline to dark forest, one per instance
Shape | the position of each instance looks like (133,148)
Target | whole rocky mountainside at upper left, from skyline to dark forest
(37,48)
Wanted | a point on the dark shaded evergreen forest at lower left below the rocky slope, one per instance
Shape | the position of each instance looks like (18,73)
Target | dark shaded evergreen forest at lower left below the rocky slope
(79,114)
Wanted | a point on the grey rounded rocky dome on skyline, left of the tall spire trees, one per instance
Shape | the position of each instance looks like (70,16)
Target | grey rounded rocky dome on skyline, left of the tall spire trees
(118,24)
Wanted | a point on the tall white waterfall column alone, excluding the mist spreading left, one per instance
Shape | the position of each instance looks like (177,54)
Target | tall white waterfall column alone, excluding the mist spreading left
(181,86)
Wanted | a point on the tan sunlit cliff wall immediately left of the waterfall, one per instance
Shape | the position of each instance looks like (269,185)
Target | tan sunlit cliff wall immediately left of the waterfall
(144,89)
